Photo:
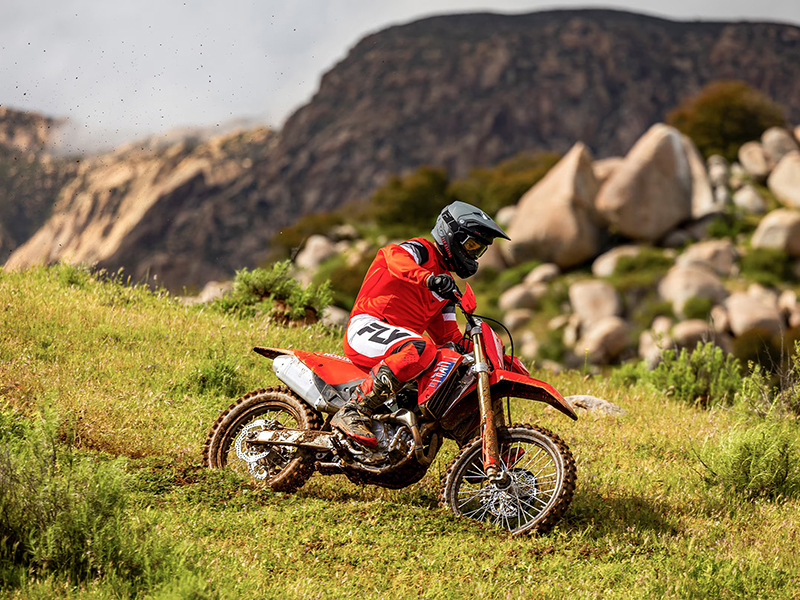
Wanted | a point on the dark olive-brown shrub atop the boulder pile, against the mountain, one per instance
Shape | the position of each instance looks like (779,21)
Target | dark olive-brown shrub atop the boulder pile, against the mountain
(725,115)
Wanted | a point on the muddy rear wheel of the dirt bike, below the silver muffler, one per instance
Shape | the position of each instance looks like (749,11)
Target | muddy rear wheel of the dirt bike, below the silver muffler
(283,468)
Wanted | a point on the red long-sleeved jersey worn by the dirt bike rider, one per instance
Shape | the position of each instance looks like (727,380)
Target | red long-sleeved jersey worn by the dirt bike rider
(394,291)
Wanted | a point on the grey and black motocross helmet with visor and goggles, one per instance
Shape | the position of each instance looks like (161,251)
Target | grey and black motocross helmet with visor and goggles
(463,232)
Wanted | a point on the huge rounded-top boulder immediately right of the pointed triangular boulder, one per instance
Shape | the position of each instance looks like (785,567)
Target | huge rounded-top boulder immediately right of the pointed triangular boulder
(651,192)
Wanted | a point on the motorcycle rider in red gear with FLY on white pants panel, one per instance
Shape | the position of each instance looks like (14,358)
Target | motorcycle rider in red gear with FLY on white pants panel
(409,290)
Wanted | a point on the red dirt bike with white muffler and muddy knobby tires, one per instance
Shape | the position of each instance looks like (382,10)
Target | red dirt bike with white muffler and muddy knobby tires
(520,478)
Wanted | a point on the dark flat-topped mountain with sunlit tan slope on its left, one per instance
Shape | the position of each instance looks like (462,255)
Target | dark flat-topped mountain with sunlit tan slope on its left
(458,91)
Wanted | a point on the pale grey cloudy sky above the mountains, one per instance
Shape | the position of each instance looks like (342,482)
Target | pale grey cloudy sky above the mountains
(123,70)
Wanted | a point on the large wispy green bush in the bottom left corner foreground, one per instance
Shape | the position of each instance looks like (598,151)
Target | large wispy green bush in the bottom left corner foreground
(63,514)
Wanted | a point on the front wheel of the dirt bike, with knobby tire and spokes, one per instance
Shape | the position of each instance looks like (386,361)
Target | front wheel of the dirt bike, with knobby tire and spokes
(539,488)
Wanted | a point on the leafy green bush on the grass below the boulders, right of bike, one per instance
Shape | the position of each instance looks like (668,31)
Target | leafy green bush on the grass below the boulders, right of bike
(707,376)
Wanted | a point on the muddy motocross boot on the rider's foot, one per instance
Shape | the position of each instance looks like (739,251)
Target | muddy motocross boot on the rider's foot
(354,419)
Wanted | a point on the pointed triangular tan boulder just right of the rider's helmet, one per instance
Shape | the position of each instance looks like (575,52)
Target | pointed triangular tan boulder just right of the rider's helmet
(555,221)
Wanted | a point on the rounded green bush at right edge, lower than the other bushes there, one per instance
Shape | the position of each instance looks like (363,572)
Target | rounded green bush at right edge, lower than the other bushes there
(758,461)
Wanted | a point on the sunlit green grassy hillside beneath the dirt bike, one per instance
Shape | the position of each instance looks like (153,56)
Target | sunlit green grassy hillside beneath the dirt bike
(107,392)
